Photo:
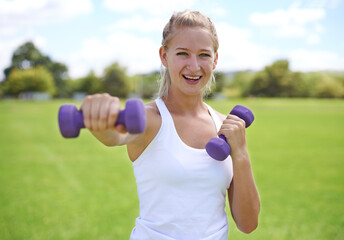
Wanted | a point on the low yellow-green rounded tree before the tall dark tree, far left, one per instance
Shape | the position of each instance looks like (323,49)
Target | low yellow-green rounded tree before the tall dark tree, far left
(37,79)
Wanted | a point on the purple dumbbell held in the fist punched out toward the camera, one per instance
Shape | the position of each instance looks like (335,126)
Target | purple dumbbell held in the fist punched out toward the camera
(133,117)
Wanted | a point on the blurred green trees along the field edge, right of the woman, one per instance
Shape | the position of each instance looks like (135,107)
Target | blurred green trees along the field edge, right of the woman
(277,80)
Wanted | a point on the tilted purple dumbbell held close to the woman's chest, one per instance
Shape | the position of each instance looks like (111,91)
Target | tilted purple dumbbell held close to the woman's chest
(218,148)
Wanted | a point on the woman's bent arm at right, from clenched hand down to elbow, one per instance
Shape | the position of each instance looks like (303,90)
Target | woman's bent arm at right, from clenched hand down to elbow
(243,194)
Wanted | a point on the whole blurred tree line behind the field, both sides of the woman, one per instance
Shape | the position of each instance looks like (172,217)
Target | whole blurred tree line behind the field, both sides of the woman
(32,71)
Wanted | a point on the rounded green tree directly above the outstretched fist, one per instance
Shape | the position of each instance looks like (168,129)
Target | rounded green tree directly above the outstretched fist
(116,81)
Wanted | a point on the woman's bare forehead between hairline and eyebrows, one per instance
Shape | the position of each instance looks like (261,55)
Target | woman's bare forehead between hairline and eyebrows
(191,38)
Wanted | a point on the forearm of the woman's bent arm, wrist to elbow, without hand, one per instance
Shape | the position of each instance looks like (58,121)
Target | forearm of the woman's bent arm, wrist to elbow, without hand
(243,194)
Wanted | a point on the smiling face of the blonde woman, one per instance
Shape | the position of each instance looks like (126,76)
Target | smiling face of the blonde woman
(190,59)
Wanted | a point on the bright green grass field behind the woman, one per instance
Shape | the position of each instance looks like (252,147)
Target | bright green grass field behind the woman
(55,188)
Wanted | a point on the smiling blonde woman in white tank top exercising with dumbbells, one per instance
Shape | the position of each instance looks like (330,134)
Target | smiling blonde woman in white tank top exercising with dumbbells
(182,191)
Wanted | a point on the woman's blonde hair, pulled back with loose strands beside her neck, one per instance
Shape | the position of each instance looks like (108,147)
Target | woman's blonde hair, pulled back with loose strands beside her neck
(186,18)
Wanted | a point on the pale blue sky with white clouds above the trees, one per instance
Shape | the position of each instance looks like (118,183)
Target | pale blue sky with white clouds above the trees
(91,35)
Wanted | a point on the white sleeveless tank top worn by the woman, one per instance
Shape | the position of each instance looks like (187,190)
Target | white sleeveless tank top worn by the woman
(182,191)
